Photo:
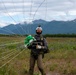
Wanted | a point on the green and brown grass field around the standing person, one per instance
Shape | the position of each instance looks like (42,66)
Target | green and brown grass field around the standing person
(14,58)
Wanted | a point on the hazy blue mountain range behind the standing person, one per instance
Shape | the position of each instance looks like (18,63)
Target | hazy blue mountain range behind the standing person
(51,27)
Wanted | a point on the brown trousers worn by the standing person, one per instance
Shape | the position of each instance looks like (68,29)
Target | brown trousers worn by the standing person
(33,59)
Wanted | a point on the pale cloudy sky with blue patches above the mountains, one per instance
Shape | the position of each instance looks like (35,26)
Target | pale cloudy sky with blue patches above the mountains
(18,11)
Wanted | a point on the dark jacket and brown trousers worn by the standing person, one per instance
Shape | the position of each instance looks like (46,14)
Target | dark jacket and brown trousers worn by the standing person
(37,54)
